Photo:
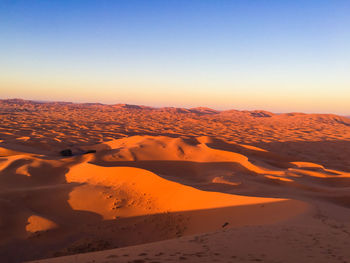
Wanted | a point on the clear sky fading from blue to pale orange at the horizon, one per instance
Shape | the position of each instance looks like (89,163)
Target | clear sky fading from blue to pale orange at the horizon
(281,56)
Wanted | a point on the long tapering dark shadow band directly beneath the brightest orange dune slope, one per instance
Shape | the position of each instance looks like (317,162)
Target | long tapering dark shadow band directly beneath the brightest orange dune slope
(109,234)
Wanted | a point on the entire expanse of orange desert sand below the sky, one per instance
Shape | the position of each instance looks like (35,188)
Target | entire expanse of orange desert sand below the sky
(170,184)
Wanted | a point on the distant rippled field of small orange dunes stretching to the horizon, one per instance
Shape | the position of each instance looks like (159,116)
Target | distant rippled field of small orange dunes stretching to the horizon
(59,125)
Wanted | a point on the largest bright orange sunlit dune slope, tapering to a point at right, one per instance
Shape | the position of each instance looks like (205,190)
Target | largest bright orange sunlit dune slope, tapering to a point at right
(146,193)
